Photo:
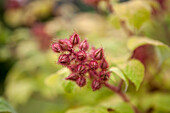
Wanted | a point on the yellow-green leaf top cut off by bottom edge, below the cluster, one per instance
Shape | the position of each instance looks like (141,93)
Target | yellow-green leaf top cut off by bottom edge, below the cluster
(88,110)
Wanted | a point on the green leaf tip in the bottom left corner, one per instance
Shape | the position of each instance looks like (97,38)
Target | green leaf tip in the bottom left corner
(5,107)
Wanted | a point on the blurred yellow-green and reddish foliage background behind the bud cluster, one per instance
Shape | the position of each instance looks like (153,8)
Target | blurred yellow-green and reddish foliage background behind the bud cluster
(28,27)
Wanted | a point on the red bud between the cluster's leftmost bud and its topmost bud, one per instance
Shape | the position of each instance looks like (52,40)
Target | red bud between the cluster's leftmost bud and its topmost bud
(65,44)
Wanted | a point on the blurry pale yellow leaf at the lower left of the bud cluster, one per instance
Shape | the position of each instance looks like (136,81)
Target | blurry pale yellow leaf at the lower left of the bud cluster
(56,77)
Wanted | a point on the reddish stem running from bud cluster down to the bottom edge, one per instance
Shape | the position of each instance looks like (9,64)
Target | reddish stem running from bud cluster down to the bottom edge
(122,95)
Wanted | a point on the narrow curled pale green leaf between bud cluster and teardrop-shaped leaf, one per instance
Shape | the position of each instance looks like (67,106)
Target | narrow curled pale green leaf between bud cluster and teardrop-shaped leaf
(118,72)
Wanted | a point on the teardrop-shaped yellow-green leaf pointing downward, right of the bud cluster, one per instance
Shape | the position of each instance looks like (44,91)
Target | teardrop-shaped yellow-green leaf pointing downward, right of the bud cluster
(134,70)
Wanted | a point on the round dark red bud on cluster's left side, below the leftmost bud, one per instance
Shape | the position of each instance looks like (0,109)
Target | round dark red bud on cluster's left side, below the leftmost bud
(64,59)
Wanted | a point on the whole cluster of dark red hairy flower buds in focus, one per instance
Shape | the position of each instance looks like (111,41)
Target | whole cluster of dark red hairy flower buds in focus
(82,62)
